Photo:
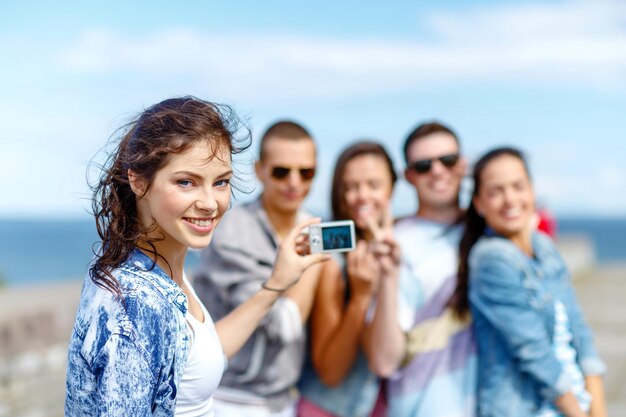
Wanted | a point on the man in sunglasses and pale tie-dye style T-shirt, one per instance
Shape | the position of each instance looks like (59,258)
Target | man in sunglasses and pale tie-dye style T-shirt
(427,353)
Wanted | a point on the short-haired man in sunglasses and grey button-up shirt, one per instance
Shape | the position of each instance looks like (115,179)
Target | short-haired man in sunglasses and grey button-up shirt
(260,379)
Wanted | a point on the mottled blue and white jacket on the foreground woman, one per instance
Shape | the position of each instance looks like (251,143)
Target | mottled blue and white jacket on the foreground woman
(127,360)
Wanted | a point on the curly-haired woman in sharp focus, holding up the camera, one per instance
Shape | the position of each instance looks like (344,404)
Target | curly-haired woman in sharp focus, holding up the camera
(143,344)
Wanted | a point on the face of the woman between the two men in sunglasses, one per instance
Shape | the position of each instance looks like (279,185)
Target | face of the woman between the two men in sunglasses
(368,188)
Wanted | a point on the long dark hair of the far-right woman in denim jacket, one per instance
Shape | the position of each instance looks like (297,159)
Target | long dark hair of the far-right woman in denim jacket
(474,227)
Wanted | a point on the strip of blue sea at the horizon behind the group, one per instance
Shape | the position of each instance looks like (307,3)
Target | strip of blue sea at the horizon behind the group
(40,251)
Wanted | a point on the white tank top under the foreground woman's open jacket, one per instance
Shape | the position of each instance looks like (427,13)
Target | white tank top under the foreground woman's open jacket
(203,370)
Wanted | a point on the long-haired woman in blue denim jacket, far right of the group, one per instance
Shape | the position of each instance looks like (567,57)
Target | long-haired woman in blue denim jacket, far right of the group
(536,356)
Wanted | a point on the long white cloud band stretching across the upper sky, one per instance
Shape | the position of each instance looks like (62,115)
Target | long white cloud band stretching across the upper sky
(579,43)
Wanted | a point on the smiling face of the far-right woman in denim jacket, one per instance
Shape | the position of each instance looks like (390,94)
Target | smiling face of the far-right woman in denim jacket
(506,199)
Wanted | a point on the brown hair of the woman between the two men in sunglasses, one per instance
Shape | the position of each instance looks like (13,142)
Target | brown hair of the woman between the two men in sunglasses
(338,192)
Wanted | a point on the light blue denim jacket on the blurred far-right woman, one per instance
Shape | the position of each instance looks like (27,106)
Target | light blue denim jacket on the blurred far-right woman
(512,301)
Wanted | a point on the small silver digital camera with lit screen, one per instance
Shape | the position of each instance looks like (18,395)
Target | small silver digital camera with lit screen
(330,237)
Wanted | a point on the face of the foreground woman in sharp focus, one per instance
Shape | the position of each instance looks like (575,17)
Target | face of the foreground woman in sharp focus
(187,198)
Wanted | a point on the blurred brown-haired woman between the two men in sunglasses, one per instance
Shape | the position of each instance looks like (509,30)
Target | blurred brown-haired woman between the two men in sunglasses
(336,381)
